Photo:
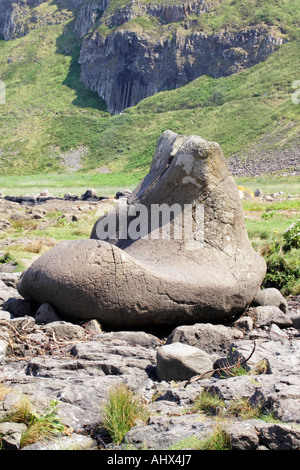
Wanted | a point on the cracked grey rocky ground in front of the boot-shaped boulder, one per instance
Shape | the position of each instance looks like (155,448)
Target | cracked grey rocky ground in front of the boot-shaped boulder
(46,359)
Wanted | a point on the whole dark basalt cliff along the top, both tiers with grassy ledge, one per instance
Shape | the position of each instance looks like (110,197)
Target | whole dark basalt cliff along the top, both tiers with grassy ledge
(133,51)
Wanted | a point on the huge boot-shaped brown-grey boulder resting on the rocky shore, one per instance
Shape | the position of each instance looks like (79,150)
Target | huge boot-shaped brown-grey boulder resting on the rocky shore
(140,273)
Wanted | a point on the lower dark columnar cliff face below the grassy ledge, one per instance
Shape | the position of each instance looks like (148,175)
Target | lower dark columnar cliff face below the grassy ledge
(125,67)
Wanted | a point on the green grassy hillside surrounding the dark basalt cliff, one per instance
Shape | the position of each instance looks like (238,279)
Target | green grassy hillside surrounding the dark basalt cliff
(51,121)
